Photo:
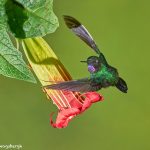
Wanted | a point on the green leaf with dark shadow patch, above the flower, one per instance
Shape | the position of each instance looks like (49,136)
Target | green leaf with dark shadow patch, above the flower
(28,18)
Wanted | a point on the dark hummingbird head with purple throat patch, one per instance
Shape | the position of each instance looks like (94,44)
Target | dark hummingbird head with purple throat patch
(93,64)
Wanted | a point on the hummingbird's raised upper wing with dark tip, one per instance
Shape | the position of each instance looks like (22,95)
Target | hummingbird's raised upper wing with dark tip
(81,32)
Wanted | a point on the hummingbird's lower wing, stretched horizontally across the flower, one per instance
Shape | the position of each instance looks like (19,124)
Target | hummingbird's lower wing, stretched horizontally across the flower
(81,85)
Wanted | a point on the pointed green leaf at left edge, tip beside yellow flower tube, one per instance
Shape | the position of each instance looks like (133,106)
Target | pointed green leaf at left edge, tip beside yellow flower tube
(11,62)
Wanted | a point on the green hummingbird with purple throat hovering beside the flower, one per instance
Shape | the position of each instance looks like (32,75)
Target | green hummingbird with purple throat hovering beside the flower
(102,74)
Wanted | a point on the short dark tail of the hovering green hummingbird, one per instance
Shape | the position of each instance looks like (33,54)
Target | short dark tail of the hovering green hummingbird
(121,85)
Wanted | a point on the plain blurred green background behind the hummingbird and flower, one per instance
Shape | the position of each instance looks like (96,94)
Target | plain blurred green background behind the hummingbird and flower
(121,28)
